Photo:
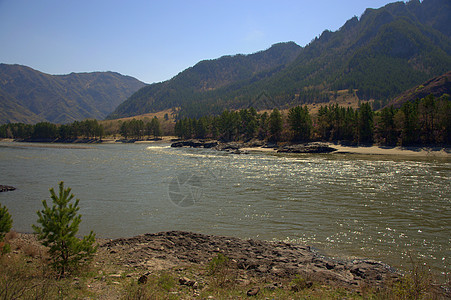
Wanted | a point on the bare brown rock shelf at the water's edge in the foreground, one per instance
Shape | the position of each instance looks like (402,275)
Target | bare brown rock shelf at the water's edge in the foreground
(273,260)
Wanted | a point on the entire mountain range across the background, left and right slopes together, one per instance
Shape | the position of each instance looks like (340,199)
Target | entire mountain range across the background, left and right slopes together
(379,55)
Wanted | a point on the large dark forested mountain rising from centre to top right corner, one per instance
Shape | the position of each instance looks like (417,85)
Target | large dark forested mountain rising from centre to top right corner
(379,55)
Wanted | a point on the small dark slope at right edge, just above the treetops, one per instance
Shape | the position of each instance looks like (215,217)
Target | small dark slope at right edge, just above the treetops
(436,86)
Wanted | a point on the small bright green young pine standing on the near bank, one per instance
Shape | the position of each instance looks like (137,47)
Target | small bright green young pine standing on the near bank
(59,225)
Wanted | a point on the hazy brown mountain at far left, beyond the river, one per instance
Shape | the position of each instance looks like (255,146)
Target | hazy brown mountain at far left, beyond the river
(30,96)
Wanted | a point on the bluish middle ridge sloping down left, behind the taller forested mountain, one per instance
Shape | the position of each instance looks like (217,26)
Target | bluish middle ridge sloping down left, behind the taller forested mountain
(208,76)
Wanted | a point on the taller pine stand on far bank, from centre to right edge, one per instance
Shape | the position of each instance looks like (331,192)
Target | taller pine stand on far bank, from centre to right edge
(423,122)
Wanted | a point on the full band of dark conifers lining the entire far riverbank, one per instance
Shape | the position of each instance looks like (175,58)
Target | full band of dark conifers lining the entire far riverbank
(426,121)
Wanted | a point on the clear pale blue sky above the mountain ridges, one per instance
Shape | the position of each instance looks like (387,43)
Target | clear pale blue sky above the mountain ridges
(155,40)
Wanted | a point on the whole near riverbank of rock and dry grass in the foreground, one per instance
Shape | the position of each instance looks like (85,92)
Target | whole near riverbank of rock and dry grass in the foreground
(186,265)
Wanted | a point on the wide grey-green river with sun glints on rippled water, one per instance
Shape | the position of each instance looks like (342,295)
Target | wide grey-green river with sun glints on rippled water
(387,208)
